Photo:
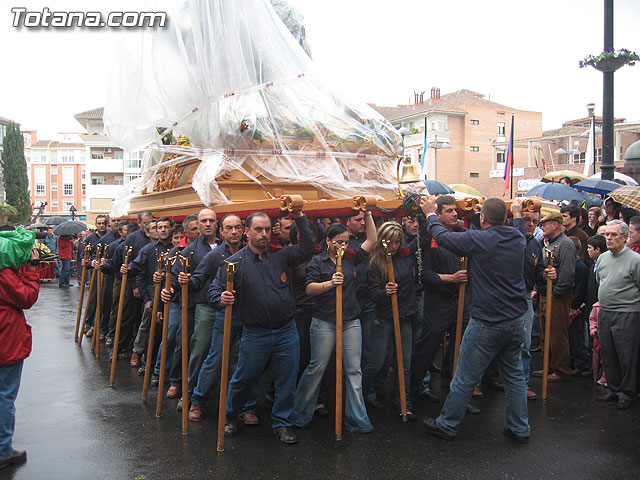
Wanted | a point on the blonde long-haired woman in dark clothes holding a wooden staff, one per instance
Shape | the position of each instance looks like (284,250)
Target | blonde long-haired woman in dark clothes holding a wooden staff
(381,290)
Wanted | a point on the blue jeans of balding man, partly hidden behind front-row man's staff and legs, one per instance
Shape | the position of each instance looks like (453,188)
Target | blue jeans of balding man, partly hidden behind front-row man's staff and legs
(212,365)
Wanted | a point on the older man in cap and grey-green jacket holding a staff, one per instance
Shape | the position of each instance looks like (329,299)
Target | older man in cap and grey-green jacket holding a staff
(562,273)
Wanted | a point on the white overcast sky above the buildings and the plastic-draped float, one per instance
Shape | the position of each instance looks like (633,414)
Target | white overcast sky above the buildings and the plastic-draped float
(523,54)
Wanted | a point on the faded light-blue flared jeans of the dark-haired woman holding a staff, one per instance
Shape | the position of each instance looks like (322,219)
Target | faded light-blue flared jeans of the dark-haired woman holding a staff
(323,342)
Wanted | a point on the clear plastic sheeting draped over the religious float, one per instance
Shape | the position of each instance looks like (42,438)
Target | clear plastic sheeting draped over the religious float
(233,79)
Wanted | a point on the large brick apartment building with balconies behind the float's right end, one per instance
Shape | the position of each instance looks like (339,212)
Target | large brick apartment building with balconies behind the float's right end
(472,135)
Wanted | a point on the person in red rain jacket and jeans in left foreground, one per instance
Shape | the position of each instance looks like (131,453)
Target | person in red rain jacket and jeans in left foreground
(18,291)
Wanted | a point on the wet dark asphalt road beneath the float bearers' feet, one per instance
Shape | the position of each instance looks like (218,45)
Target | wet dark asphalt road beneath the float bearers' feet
(74,426)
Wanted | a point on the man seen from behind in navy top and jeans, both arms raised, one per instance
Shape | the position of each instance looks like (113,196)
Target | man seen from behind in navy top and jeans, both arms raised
(498,308)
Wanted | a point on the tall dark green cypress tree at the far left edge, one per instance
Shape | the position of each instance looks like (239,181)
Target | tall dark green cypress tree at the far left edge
(14,166)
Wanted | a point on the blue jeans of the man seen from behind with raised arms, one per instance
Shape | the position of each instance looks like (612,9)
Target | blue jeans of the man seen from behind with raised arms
(481,343)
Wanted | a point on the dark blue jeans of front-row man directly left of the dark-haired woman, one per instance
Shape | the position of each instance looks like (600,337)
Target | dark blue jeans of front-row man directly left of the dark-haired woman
(257,347)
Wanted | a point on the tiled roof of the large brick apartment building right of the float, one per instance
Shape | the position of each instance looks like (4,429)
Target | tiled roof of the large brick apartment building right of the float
(450,102)
